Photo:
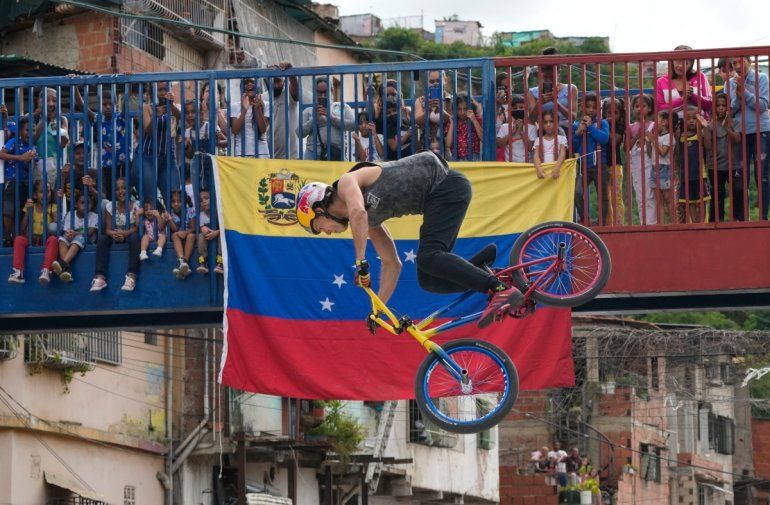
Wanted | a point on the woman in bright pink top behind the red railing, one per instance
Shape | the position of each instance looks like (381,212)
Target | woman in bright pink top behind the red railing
(682,86)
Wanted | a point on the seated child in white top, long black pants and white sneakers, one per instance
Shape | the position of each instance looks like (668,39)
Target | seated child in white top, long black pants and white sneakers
(122,231)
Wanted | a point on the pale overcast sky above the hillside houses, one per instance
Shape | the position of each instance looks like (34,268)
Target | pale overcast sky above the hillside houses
(655,25)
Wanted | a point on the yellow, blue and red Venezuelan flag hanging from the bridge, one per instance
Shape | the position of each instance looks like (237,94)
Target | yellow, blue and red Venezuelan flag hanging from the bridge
(295,322)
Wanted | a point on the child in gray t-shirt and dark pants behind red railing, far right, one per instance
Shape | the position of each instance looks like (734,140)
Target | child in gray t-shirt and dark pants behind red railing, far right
(726,149)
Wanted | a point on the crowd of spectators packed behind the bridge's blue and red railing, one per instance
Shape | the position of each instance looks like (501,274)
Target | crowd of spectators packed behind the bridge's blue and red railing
(129,164)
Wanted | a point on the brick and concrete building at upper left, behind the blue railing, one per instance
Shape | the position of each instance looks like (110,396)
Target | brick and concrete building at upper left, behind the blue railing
(78,40)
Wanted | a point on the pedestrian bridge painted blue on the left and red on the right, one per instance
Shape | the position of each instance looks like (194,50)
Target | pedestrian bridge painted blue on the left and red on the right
(718,260)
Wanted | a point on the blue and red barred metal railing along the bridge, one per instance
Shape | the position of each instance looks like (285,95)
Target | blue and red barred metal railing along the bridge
(154,131)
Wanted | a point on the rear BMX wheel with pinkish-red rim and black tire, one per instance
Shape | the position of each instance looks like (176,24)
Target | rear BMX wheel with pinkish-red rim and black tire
(588,260)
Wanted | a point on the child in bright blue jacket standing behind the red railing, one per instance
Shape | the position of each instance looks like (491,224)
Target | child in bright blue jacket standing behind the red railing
(590,135)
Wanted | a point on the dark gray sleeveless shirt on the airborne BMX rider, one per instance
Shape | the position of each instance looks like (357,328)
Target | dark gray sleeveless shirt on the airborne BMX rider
(403,186)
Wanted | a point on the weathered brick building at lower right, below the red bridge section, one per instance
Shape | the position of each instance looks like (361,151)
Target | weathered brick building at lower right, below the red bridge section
(662,430)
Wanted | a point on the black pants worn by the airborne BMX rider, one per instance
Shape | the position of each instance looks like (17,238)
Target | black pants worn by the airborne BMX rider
(438,270)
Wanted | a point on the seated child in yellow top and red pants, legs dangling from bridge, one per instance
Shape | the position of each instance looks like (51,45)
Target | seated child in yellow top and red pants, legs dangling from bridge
(34,207)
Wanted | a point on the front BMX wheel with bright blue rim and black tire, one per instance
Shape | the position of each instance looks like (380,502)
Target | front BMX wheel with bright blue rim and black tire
(485,362)
